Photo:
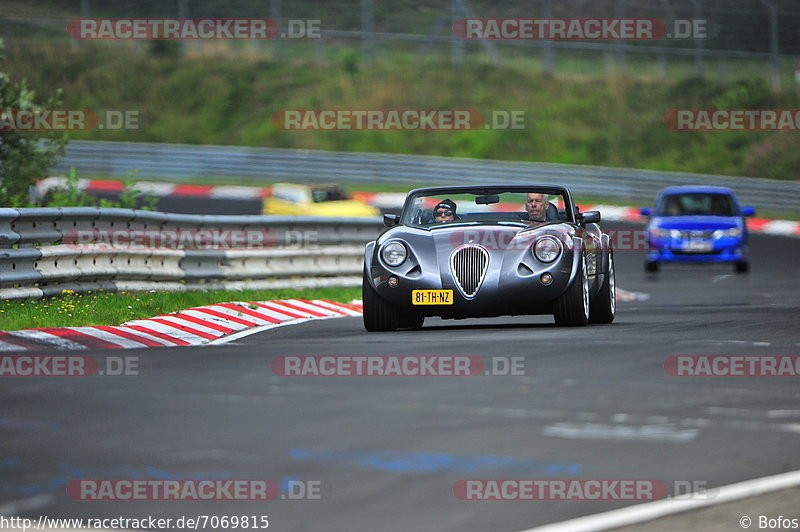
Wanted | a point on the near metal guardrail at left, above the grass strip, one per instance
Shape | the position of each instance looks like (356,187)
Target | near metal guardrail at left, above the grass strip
(46,251)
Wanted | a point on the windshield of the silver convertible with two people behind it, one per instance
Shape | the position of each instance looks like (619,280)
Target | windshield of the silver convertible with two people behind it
(525,208)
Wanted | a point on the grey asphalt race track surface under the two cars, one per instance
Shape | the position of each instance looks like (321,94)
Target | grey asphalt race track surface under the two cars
(594,403)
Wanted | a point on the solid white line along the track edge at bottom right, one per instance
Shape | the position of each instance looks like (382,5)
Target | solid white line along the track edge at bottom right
(648,511)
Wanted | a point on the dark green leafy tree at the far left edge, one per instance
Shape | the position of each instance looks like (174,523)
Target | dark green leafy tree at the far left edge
(24,155)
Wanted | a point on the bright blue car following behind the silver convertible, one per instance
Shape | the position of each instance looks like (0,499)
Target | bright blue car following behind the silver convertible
(697,224)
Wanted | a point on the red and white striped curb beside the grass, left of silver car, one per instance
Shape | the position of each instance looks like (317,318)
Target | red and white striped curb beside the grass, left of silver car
(216,323)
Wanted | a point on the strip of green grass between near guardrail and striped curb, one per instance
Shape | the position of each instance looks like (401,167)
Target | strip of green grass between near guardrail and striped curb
(105,308)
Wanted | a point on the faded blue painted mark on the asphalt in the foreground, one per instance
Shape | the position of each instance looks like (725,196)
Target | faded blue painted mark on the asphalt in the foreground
(421,462)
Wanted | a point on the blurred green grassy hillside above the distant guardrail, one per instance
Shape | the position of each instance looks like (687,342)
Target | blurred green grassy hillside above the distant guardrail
(585,119)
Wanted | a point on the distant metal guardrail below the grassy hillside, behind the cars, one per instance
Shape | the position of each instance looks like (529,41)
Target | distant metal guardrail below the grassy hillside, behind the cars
(179,162)
